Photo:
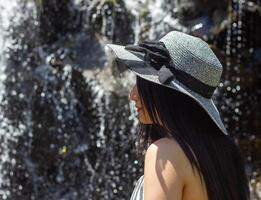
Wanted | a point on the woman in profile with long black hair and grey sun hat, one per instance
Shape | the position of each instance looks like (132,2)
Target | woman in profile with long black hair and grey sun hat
(189,155)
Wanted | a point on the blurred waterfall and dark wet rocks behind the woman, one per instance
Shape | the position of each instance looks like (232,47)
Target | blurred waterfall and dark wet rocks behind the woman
(67,128)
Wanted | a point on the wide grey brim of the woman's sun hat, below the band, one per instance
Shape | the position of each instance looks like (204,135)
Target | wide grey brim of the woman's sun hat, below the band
(140,67)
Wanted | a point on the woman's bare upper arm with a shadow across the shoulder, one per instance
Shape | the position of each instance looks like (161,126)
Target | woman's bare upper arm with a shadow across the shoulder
(163,171)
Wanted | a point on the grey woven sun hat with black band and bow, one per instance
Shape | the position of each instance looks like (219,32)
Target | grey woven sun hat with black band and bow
(179,61)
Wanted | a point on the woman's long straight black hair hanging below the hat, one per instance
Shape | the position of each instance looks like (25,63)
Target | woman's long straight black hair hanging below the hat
(212,153)
